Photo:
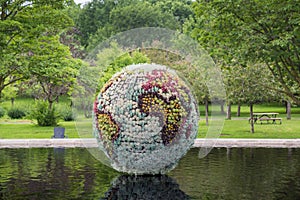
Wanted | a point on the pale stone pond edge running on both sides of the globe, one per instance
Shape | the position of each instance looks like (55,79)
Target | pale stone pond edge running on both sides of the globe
(207,143)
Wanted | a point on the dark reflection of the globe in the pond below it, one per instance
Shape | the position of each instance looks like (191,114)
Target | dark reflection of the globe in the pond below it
(130,187)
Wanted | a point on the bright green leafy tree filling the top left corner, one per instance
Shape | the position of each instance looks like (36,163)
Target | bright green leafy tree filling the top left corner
(22,23)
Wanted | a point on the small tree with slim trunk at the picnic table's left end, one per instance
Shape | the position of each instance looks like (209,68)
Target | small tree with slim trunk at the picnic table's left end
(249,85)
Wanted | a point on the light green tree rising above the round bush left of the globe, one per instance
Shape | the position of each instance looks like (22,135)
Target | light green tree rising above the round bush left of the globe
(53,68)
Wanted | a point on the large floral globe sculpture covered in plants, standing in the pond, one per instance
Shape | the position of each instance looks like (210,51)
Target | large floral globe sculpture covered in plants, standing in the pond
(145,119)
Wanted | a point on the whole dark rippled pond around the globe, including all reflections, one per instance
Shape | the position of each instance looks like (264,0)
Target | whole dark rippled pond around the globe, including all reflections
(73,173)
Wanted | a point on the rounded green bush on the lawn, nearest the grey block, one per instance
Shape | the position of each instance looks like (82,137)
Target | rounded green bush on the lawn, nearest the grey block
(44,115)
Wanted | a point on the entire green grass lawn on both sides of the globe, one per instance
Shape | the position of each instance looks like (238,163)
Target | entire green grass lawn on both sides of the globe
(238,127)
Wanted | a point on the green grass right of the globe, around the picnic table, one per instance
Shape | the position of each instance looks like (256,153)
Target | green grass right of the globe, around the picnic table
(239,127)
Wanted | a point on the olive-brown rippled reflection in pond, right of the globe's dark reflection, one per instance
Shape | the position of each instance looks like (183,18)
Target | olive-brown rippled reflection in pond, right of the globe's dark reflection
(240,173)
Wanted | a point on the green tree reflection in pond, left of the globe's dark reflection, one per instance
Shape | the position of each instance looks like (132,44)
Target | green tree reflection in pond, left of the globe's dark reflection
(52,174)
